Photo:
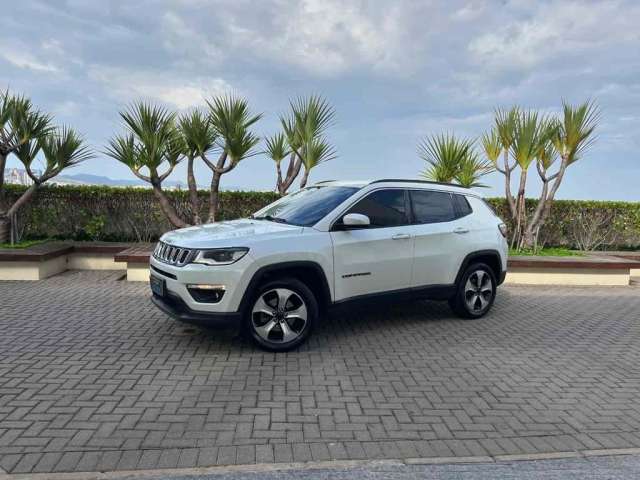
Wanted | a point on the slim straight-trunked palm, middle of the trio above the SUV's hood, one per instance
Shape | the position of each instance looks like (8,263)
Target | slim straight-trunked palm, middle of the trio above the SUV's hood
(199,137)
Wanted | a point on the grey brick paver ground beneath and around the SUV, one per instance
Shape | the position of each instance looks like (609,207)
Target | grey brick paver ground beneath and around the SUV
(93,377)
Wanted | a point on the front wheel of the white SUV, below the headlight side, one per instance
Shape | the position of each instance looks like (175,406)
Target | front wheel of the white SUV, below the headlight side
(282,314)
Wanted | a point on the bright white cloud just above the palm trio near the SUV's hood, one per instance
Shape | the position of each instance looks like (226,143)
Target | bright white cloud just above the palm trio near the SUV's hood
(175,90)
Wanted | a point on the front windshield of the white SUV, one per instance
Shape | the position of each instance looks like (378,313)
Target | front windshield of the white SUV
(305,207)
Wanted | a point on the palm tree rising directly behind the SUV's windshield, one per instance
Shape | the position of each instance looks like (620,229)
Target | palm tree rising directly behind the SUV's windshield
(304,128)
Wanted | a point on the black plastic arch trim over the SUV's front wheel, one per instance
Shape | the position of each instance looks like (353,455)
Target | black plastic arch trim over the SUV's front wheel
(308,272)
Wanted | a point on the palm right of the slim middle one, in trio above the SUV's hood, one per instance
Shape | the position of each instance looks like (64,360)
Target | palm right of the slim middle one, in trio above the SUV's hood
(231,118)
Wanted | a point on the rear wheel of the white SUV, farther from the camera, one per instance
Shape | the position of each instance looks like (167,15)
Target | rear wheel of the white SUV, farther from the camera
(475,292)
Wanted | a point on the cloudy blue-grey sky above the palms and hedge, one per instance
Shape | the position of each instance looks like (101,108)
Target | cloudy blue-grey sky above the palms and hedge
(395,71)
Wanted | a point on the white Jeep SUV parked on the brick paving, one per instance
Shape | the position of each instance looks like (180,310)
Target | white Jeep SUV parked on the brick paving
(334,243)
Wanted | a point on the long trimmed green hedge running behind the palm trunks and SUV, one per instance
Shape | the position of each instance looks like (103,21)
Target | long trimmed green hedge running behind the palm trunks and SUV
(132,214)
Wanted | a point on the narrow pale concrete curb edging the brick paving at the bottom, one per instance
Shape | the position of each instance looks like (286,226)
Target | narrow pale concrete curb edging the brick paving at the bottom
(329,465)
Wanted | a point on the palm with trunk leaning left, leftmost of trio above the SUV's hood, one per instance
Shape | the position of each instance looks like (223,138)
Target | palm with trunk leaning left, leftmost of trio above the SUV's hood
(151,143)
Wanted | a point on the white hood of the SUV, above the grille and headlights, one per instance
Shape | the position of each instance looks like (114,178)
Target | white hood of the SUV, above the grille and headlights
(234,233)
